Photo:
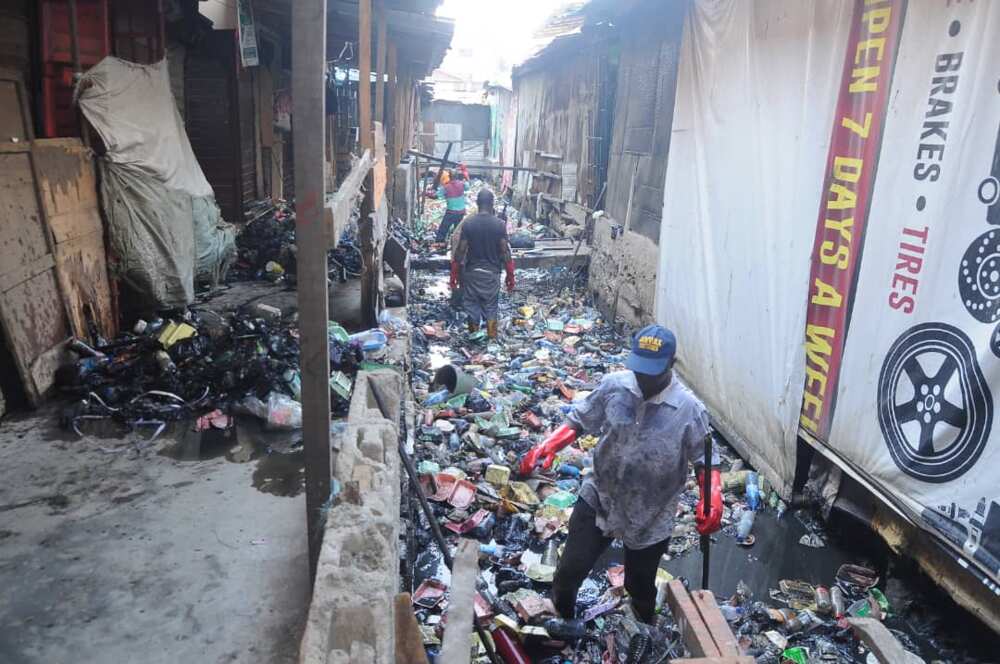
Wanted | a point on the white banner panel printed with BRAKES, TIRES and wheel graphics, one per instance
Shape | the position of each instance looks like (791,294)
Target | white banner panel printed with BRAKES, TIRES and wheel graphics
(915,401)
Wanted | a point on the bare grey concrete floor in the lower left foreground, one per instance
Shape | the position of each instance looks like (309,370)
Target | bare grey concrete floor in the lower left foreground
(131,556)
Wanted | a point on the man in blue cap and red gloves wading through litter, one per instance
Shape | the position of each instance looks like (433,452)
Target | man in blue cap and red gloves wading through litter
(650,427)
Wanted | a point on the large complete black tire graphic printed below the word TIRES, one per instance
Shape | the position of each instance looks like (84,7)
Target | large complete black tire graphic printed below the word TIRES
(935,408)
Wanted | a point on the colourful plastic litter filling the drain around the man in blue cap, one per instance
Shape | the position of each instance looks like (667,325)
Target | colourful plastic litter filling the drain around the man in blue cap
(484,404)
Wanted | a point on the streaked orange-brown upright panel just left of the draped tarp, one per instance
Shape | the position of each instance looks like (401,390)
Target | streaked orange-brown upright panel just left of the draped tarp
(69,201)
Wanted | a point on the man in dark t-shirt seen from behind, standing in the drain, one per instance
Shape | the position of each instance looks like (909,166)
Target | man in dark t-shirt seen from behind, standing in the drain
(483,251)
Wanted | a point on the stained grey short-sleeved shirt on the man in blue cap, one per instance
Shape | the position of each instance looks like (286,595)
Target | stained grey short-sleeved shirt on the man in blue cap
(640,462)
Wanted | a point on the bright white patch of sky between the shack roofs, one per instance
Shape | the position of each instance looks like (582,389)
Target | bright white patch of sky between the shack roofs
(493,35)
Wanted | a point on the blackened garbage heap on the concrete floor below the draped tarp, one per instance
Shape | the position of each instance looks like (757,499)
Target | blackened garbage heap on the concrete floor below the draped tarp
(207,367)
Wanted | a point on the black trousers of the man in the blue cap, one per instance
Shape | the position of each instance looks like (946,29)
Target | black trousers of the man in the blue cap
(585,545)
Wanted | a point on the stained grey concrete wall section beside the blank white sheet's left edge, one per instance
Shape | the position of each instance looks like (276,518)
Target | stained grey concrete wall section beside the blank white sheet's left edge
(629,262)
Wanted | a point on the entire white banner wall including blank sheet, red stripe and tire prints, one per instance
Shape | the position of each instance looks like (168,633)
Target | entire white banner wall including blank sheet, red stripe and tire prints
(830,256)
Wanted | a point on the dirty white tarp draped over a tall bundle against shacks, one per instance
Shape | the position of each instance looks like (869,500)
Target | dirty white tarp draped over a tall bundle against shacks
(165,227)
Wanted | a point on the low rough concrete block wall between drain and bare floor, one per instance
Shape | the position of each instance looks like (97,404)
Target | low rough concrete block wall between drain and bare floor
(351,616)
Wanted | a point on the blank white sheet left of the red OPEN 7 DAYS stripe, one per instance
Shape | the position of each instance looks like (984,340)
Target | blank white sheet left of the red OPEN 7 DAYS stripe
(743,180)
